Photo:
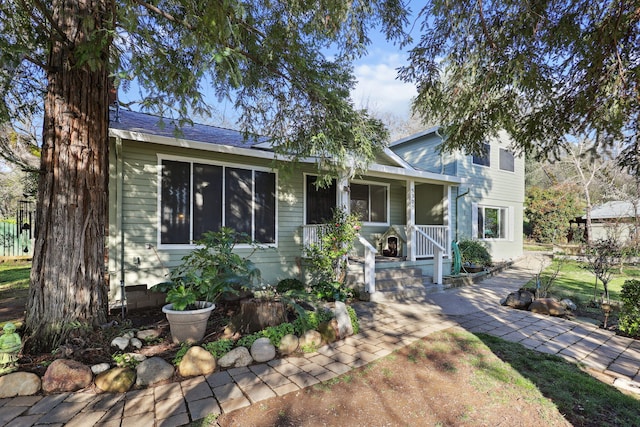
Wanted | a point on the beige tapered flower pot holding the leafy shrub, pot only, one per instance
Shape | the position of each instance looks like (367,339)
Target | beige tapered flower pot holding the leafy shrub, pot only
(188,326)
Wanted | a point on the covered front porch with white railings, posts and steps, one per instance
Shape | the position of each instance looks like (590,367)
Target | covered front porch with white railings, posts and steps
(414,224)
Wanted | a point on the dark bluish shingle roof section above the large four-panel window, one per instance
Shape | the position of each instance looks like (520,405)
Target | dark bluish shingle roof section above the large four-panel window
(146,123)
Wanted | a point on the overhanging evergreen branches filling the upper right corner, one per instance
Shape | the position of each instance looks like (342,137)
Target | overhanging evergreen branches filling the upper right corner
(539,70)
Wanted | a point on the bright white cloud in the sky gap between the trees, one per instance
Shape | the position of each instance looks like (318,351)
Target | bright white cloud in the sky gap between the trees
(378,89)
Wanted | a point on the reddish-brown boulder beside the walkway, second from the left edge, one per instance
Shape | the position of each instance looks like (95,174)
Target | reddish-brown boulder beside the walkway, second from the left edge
(66,375)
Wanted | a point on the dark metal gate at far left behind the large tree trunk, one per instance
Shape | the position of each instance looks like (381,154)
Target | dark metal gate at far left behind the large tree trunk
(16,238)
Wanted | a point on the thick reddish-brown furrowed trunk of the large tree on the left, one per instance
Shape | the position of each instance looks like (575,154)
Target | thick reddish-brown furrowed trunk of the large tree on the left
(68,287)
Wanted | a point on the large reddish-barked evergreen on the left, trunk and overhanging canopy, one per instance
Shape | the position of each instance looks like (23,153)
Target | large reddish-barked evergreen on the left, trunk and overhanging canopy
(267,57)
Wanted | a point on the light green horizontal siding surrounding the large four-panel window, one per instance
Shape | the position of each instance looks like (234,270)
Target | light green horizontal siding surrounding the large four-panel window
(145,263)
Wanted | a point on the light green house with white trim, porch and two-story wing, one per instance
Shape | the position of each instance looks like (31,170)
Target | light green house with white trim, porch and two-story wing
(167,188)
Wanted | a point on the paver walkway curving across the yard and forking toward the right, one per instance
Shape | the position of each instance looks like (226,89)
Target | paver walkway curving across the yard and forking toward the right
(385,327)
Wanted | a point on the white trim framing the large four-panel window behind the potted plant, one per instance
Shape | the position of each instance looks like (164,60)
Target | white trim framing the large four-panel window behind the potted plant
(191,161)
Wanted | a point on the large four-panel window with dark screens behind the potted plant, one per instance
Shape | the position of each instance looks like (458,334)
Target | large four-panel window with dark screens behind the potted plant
(196,198)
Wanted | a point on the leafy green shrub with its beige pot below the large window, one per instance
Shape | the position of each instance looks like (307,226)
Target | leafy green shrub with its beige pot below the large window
(205,274)
